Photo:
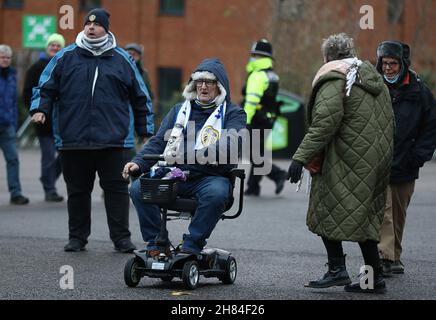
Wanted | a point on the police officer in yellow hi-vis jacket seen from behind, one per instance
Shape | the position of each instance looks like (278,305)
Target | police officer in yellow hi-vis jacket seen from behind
(260,105)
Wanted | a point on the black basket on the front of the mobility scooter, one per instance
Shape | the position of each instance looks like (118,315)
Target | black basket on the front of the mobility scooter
(158,191)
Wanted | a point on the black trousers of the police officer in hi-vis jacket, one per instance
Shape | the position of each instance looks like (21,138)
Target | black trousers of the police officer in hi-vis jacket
(261,122)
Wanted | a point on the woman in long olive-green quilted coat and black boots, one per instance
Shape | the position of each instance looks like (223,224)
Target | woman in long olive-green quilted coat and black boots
(348,150)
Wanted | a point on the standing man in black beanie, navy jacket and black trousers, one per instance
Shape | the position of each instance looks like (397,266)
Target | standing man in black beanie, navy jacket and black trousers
(97,98)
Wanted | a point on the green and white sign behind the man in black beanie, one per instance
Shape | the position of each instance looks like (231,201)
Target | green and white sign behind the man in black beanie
(37,29)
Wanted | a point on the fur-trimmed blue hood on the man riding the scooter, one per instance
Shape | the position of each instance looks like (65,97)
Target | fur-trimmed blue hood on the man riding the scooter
(215,67)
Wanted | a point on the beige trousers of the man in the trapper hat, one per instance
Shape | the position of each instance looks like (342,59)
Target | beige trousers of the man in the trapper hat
(397,200)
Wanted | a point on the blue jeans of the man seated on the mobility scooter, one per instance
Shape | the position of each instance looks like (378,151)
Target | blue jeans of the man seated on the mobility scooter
(212,193)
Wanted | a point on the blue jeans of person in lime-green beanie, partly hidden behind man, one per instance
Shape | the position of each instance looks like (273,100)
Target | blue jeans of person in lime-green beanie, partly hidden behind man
(50,163)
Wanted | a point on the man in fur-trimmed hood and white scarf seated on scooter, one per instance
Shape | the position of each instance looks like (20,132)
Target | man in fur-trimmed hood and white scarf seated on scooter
(209,112)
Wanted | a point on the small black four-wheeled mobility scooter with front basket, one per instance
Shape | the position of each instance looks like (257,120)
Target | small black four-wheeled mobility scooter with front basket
(174,263)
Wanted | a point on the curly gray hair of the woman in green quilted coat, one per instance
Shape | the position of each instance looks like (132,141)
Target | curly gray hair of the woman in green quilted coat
(337,47)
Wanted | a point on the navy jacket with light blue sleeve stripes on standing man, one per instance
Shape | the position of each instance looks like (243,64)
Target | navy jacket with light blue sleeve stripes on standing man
(90,110)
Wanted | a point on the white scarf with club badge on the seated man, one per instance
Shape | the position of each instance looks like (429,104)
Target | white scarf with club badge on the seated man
(209,133)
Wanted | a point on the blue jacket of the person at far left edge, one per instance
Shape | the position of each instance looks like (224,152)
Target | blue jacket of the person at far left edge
(8,99)
